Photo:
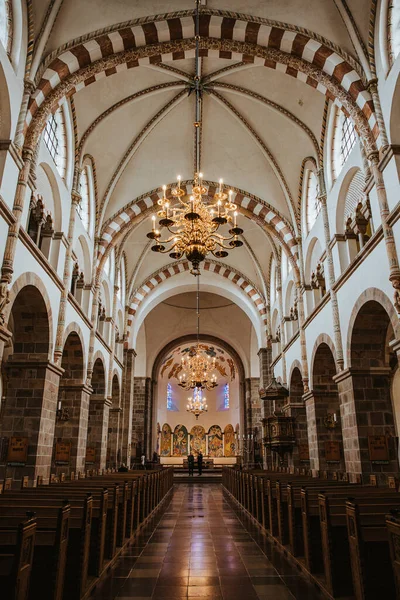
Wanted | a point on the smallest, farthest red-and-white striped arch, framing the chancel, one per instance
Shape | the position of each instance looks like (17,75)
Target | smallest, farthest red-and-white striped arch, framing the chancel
(254,295)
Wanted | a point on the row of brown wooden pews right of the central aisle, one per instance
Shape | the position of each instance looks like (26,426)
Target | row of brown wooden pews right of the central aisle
(344,537)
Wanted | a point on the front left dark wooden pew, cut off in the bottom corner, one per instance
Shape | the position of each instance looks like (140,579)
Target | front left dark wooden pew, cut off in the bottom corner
(16,555)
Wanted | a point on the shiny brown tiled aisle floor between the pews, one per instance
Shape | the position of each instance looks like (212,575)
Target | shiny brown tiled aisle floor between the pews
(200,548)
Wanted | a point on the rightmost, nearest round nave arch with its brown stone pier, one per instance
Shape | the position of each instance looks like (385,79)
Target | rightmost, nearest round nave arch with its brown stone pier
(369,385)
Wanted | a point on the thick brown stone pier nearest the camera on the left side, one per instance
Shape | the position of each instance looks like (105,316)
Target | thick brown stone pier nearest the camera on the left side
(29,410)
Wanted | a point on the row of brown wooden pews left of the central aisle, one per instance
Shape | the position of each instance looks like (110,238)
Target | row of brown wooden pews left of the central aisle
(58,541)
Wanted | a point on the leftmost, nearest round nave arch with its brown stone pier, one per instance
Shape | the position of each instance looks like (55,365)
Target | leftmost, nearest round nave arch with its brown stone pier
(29,380)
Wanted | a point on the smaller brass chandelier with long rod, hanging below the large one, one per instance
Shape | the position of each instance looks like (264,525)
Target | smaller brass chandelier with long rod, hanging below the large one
(198,369)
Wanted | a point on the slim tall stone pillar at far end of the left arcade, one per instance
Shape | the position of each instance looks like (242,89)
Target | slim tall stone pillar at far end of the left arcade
(127,403)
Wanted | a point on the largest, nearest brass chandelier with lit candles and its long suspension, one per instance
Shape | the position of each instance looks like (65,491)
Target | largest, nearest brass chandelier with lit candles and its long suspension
(193,223)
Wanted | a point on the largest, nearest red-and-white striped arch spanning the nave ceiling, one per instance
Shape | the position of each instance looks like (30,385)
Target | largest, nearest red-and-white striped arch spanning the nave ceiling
(298,52)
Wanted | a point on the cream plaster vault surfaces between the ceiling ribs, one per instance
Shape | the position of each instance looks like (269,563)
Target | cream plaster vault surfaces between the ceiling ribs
(228,149)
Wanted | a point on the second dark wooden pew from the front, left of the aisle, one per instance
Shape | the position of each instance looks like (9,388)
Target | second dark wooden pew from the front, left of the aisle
(50,550)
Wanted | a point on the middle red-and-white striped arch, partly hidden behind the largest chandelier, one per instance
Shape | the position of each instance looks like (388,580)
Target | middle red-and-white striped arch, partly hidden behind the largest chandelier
(258,210)
